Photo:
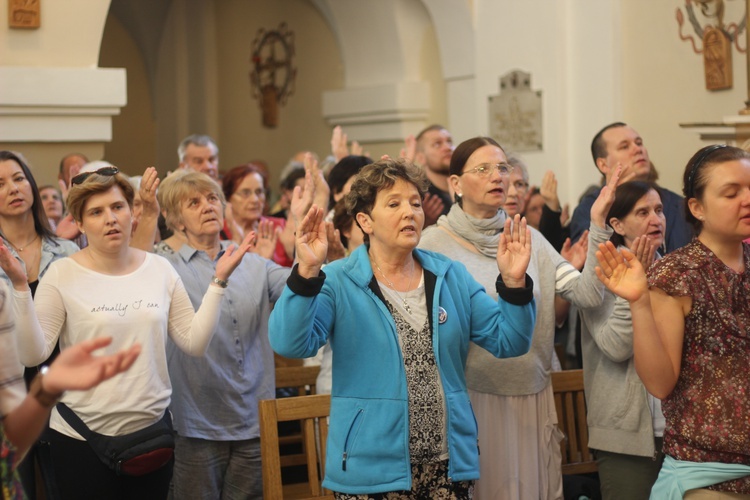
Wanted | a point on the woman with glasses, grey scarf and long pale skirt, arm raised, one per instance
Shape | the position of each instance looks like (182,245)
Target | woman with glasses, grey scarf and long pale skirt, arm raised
(513,398)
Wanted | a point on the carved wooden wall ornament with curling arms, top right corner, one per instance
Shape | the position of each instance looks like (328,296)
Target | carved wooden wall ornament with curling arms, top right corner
(716,37)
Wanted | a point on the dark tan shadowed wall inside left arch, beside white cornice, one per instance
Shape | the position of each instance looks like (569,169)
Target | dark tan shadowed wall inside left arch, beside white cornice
(133,147)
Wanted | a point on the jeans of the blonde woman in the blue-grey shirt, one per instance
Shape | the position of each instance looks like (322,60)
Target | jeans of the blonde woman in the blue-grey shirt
(212,470)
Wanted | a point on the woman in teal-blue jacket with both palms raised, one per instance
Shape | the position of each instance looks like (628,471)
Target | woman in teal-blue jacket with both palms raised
(399,321)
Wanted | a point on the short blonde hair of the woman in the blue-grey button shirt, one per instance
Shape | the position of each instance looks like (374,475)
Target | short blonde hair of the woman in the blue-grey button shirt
(177,187)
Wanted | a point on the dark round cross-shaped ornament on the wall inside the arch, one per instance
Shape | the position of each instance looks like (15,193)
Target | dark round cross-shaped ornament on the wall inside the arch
(272,72)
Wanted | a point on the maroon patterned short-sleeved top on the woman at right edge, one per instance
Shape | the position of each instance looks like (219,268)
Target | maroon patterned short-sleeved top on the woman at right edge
(708,412)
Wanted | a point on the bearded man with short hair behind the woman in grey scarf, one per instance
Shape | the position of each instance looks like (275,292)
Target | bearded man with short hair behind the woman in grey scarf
(433,153)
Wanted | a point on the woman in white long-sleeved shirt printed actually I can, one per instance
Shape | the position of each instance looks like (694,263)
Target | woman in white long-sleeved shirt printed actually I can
(110,288)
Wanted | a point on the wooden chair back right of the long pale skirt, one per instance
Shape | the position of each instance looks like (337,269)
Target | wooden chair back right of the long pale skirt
(570,404)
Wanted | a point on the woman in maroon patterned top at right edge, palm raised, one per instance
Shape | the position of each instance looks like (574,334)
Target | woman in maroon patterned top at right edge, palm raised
(691,331)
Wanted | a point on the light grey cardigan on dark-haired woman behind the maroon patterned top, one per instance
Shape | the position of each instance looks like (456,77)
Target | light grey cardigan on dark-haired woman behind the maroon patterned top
(618,411)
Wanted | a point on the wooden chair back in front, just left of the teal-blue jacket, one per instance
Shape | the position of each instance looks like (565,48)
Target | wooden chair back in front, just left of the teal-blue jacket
(311,411)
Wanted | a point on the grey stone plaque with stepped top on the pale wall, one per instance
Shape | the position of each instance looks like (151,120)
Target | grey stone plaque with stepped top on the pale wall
(516,114)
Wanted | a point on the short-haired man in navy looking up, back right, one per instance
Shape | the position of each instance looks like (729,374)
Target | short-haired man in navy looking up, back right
(619,144)
